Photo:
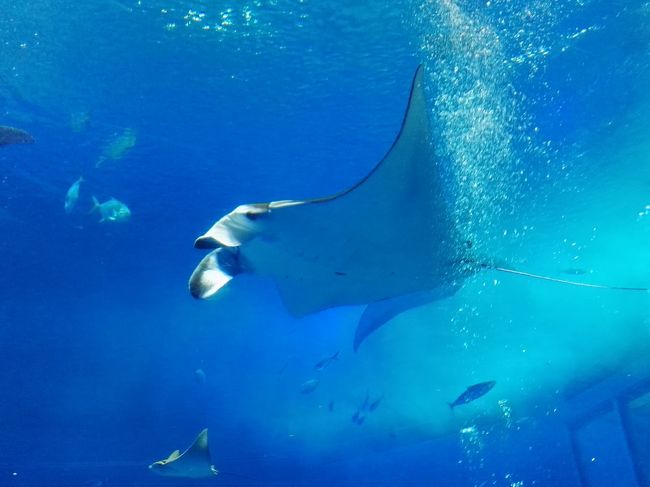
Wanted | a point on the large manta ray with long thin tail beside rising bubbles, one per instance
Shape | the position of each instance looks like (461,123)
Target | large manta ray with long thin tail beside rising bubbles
(387,242)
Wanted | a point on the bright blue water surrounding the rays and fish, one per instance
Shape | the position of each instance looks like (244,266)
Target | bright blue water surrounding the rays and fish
(540,112)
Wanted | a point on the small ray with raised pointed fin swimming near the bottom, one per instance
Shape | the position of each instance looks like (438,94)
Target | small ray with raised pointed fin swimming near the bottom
(193,463)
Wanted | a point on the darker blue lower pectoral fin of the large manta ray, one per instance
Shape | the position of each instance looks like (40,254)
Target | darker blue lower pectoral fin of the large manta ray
(381,312)
